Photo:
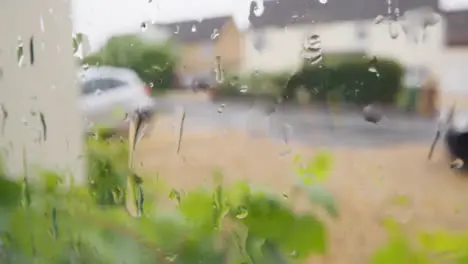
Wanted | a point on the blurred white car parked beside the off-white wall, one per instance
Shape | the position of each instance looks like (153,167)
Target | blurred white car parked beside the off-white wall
(109,95)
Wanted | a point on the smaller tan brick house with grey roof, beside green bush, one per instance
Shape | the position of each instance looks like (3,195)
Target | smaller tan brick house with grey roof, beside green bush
(200,42)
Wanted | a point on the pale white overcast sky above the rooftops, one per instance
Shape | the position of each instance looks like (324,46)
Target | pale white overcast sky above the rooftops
(100,19)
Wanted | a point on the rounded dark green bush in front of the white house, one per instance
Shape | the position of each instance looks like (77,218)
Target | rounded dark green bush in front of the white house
(355,80)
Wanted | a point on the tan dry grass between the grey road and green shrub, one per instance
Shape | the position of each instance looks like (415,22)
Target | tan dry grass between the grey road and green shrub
(364,182)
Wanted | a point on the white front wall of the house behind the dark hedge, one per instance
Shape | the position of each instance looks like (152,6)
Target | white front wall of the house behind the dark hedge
(283,46)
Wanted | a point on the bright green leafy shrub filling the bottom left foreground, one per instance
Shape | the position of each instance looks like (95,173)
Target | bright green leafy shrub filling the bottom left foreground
(46,223)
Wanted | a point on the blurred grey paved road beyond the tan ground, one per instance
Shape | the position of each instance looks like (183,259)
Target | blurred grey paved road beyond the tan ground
(312,126)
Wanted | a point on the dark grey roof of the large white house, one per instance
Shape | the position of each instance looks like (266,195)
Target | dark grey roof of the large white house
(281,13)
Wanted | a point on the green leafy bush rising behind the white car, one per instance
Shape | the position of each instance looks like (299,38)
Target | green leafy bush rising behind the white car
(154,63)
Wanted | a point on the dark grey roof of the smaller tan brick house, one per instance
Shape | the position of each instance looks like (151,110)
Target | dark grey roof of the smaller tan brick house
(194,30)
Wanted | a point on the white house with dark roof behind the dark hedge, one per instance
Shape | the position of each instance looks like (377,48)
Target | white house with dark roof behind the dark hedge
(277,36)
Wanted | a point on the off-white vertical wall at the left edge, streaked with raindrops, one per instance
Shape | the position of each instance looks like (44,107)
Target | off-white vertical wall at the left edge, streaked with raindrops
(46,86)
